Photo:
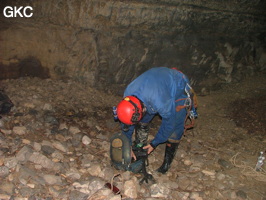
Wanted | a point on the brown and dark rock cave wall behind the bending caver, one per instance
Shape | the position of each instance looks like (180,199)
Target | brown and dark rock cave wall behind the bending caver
(108,43)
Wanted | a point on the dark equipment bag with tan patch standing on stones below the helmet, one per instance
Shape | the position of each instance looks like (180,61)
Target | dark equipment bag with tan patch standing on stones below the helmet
(120,153)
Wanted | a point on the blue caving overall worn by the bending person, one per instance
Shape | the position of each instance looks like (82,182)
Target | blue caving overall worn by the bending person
(159,88)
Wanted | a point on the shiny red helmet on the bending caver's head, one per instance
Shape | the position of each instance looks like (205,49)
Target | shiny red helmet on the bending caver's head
(129,110)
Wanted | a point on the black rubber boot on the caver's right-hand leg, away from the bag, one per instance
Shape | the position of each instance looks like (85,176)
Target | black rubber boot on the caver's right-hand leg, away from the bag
(170,150)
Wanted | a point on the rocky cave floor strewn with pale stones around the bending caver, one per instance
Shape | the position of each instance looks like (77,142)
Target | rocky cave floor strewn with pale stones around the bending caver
(54,144)
